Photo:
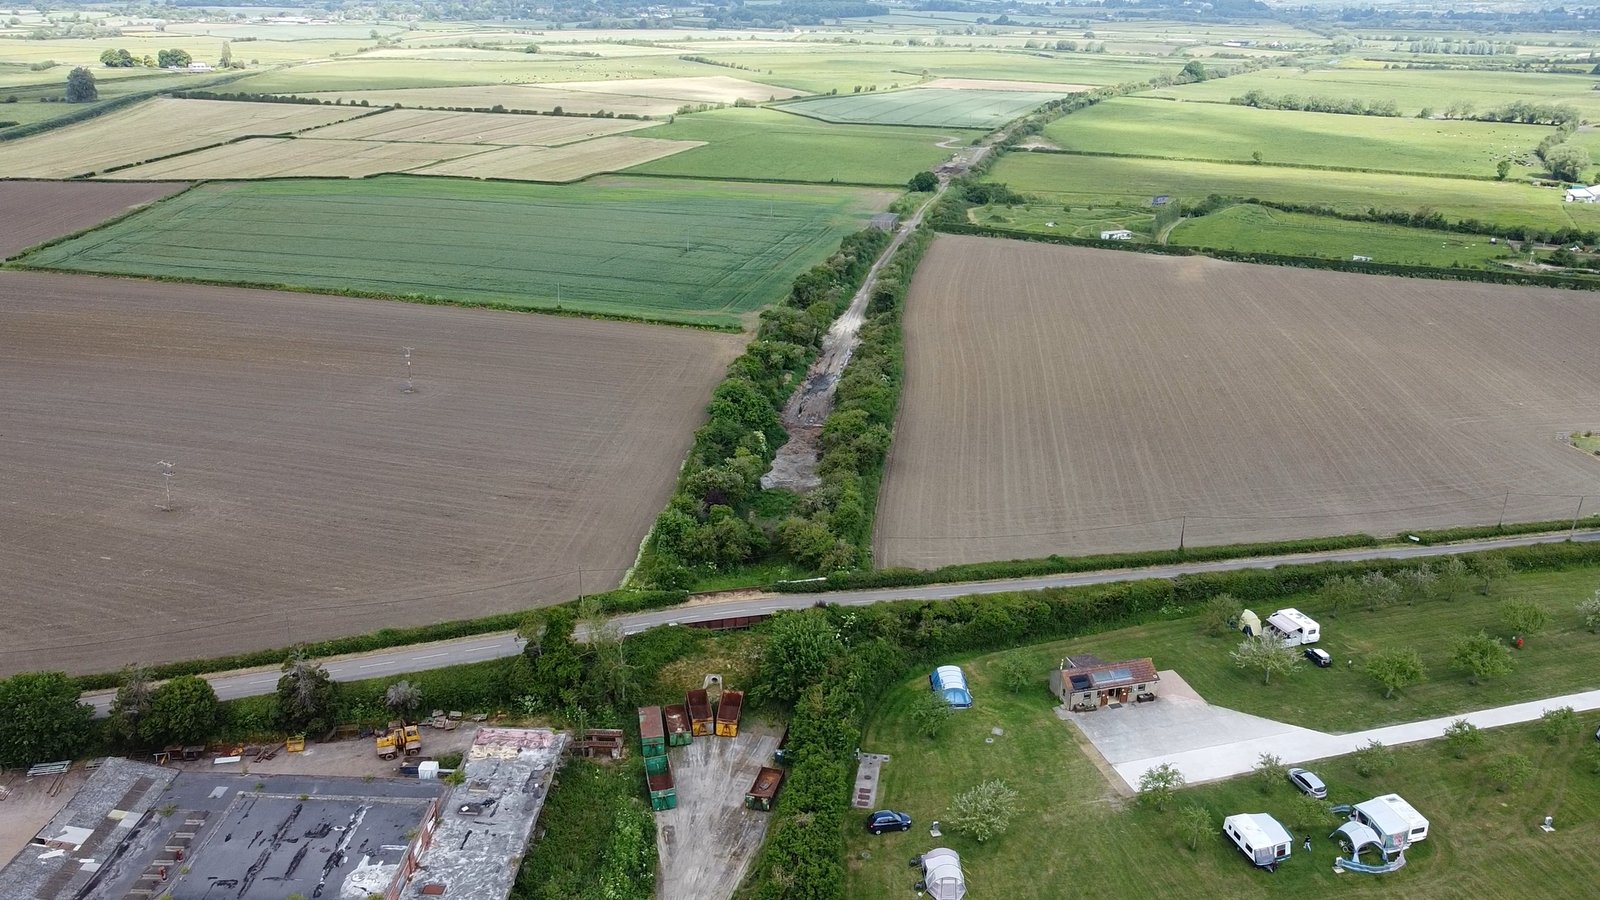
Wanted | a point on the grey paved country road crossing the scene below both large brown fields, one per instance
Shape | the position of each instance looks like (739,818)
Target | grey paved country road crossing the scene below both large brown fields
(442,654)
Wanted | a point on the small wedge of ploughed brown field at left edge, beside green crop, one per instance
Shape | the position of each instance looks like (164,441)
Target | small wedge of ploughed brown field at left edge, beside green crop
(34,212)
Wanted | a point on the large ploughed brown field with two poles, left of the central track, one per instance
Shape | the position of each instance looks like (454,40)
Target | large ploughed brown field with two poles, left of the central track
(313,497)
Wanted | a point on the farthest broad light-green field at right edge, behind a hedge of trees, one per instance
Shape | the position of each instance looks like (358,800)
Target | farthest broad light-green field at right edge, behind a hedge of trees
(1410,89)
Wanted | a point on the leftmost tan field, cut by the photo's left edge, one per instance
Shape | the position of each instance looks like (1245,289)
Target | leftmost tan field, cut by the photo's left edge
(156,129)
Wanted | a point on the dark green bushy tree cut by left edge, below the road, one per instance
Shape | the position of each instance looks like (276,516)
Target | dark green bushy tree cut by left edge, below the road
(44,720)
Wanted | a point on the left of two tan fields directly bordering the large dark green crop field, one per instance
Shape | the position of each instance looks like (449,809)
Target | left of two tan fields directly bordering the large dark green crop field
(290,158)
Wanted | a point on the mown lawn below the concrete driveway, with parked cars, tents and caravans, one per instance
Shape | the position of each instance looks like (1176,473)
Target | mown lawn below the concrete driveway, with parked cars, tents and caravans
(1076,837)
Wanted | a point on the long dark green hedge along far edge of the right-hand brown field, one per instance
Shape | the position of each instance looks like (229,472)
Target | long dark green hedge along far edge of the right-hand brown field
(1434,273)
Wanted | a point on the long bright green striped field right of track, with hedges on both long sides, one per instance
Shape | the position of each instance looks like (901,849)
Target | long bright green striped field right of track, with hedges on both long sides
(1206,131)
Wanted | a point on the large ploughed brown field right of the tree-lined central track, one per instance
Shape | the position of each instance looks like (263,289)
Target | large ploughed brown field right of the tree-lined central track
(1070,401)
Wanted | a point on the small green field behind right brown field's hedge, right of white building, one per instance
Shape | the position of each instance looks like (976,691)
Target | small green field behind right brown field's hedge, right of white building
(1298,235)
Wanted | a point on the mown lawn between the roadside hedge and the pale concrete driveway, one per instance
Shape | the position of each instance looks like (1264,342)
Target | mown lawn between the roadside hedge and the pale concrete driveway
(1564,659)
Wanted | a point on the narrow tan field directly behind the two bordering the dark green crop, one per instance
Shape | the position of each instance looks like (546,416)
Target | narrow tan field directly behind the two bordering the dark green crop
(431,126)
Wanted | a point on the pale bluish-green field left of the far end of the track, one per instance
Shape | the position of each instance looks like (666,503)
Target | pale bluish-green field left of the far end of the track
(932,108)
